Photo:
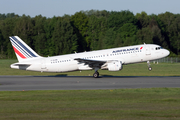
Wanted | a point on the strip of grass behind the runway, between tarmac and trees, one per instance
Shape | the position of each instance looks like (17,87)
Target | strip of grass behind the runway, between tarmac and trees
(141,69)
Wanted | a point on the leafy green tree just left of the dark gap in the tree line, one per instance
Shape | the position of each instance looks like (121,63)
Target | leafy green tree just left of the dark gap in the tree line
(64,38)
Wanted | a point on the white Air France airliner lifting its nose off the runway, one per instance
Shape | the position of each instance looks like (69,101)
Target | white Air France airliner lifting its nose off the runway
(107,59)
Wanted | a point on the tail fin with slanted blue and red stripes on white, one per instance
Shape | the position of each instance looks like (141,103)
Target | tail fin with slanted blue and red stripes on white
(21,49)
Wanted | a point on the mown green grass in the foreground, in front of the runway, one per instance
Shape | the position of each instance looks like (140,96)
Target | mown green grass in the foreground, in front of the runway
(127,104)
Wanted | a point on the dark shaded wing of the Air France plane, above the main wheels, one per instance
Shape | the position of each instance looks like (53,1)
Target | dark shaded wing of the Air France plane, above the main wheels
(91,63)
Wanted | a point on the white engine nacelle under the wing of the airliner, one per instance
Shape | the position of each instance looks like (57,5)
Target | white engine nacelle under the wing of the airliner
(115,66)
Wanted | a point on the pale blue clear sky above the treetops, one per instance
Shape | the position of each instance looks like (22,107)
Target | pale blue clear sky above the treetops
(50,8)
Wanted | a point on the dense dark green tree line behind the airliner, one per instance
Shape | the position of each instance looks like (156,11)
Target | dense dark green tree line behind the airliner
(89,30)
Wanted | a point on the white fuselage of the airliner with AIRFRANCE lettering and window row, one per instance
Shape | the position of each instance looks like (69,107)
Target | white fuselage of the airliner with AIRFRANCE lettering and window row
(65,63)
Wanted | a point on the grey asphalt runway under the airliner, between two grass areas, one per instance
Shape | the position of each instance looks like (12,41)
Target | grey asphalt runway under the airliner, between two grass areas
(19,83)
